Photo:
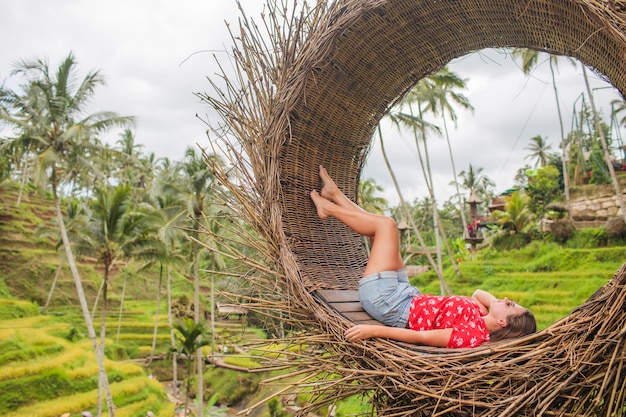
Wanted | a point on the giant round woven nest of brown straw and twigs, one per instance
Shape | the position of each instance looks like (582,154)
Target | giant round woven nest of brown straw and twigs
(307,87)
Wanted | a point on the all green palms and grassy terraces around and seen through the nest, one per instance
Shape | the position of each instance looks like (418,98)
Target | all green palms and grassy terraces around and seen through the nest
(90,228)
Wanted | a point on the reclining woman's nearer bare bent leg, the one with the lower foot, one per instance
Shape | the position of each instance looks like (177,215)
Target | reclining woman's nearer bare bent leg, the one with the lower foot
(384,255)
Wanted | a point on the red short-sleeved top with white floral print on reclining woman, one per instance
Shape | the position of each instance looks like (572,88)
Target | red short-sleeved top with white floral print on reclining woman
(461,314)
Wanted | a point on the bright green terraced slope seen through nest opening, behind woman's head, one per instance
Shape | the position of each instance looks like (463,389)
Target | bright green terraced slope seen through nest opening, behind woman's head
(548,279)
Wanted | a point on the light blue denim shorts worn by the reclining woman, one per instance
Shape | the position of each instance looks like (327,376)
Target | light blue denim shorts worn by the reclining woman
(387,296)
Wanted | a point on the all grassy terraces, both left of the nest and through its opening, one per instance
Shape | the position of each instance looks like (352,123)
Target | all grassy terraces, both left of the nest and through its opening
(48,361)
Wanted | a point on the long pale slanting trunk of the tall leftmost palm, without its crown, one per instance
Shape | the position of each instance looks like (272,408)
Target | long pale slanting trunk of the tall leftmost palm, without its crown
(102,376)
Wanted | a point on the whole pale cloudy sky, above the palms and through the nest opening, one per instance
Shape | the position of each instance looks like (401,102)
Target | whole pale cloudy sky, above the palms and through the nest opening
(155,54)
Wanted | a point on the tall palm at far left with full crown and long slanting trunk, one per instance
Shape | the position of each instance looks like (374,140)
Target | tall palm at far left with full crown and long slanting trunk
(47,120)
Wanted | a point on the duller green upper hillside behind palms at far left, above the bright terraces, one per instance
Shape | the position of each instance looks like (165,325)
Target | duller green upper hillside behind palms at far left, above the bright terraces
(29,260)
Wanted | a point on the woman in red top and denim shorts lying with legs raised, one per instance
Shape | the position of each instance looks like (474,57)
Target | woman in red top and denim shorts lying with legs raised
(408,315)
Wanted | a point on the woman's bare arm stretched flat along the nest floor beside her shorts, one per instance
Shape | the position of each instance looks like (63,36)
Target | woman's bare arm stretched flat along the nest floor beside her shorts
(437,338)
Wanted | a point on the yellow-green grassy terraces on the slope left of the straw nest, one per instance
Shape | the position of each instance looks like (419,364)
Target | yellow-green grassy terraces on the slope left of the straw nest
(47,366)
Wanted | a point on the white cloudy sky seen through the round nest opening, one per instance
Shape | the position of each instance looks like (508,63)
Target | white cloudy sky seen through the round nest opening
(510,108)
